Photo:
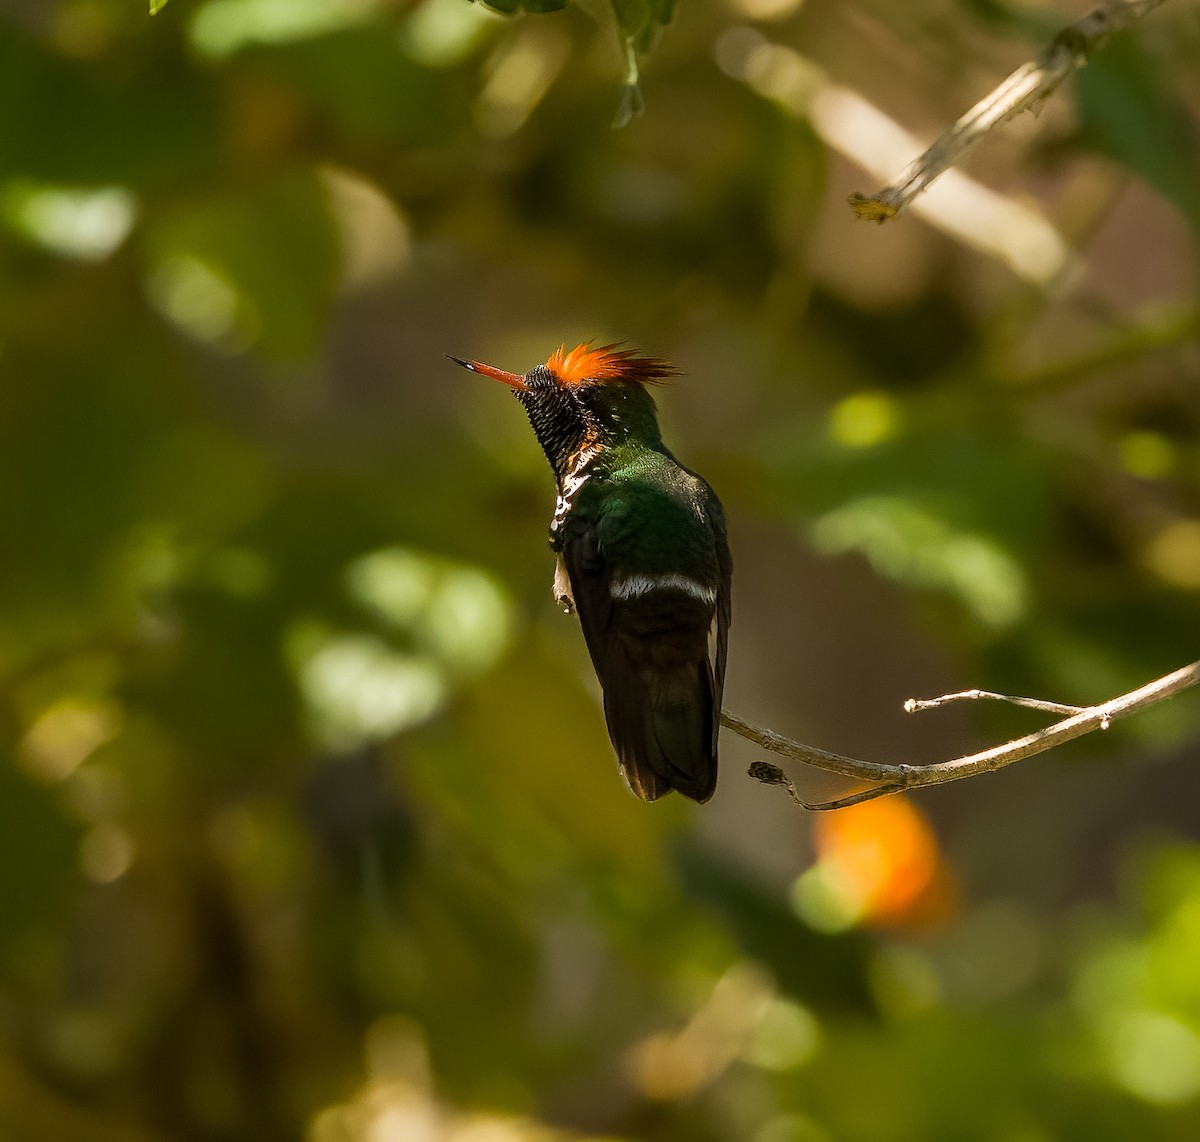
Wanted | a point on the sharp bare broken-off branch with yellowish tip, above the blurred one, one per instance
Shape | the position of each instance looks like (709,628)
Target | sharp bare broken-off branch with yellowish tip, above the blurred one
(1027,88)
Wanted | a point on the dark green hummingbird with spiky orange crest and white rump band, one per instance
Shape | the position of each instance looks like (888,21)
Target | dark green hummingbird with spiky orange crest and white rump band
(643,558)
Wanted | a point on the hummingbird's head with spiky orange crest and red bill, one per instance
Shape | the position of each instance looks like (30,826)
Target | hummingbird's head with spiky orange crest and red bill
(586,399)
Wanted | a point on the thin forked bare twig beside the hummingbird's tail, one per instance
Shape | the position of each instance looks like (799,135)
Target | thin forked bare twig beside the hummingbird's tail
(895,778)
